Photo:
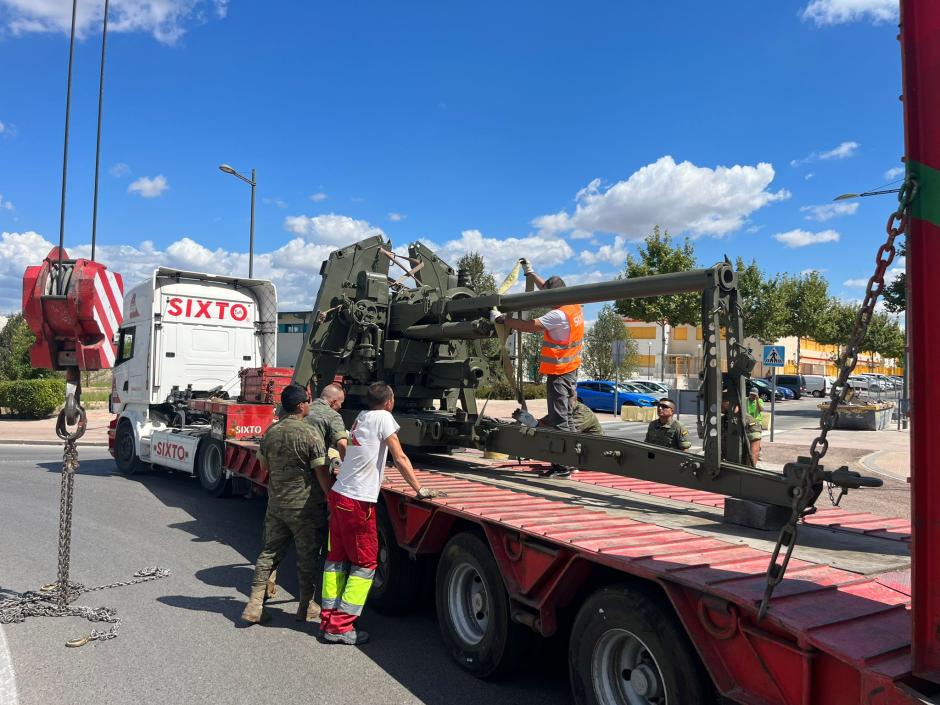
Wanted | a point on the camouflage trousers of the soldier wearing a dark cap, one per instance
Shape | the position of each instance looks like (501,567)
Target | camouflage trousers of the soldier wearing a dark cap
(308,530)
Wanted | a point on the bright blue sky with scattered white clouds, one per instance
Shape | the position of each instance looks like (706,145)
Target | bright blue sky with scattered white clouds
(557,131)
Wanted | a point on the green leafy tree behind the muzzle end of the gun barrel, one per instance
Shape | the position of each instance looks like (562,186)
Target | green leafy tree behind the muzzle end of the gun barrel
(658,255)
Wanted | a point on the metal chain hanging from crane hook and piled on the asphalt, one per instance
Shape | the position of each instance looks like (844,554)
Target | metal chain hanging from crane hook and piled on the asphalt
(54,599)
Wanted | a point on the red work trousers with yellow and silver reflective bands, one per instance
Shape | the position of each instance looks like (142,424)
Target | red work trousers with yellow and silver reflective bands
(350,562)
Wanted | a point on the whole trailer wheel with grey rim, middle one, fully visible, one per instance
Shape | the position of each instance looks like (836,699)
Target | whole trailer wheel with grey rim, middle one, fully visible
(473,610)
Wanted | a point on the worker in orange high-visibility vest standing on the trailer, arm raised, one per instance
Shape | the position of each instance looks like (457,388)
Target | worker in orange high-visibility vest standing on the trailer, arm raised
(562,331)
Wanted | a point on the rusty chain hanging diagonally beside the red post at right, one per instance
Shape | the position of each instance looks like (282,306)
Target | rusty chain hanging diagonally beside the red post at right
(805,495)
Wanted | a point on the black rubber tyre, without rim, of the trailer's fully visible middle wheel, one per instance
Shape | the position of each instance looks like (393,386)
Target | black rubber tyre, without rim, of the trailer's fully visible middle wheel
(506,644)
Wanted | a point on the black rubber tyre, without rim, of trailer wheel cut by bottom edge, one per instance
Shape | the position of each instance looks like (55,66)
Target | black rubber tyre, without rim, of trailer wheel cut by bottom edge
(649,617)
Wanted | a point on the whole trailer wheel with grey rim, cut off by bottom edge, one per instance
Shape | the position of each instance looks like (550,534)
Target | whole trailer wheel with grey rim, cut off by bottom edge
(626,648)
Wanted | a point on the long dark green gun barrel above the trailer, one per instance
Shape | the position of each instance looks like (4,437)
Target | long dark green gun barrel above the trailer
(633,288)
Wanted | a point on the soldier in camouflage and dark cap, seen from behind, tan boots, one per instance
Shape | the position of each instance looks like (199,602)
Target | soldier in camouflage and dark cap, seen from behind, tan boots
(295,457)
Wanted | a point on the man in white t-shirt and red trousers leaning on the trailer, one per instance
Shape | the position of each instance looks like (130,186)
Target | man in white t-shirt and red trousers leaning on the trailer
(354,542)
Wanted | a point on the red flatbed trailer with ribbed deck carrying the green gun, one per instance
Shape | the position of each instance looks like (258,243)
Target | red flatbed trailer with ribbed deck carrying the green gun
(512,557)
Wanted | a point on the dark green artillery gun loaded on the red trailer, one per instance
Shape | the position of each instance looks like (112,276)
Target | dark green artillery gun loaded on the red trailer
(421,332)
